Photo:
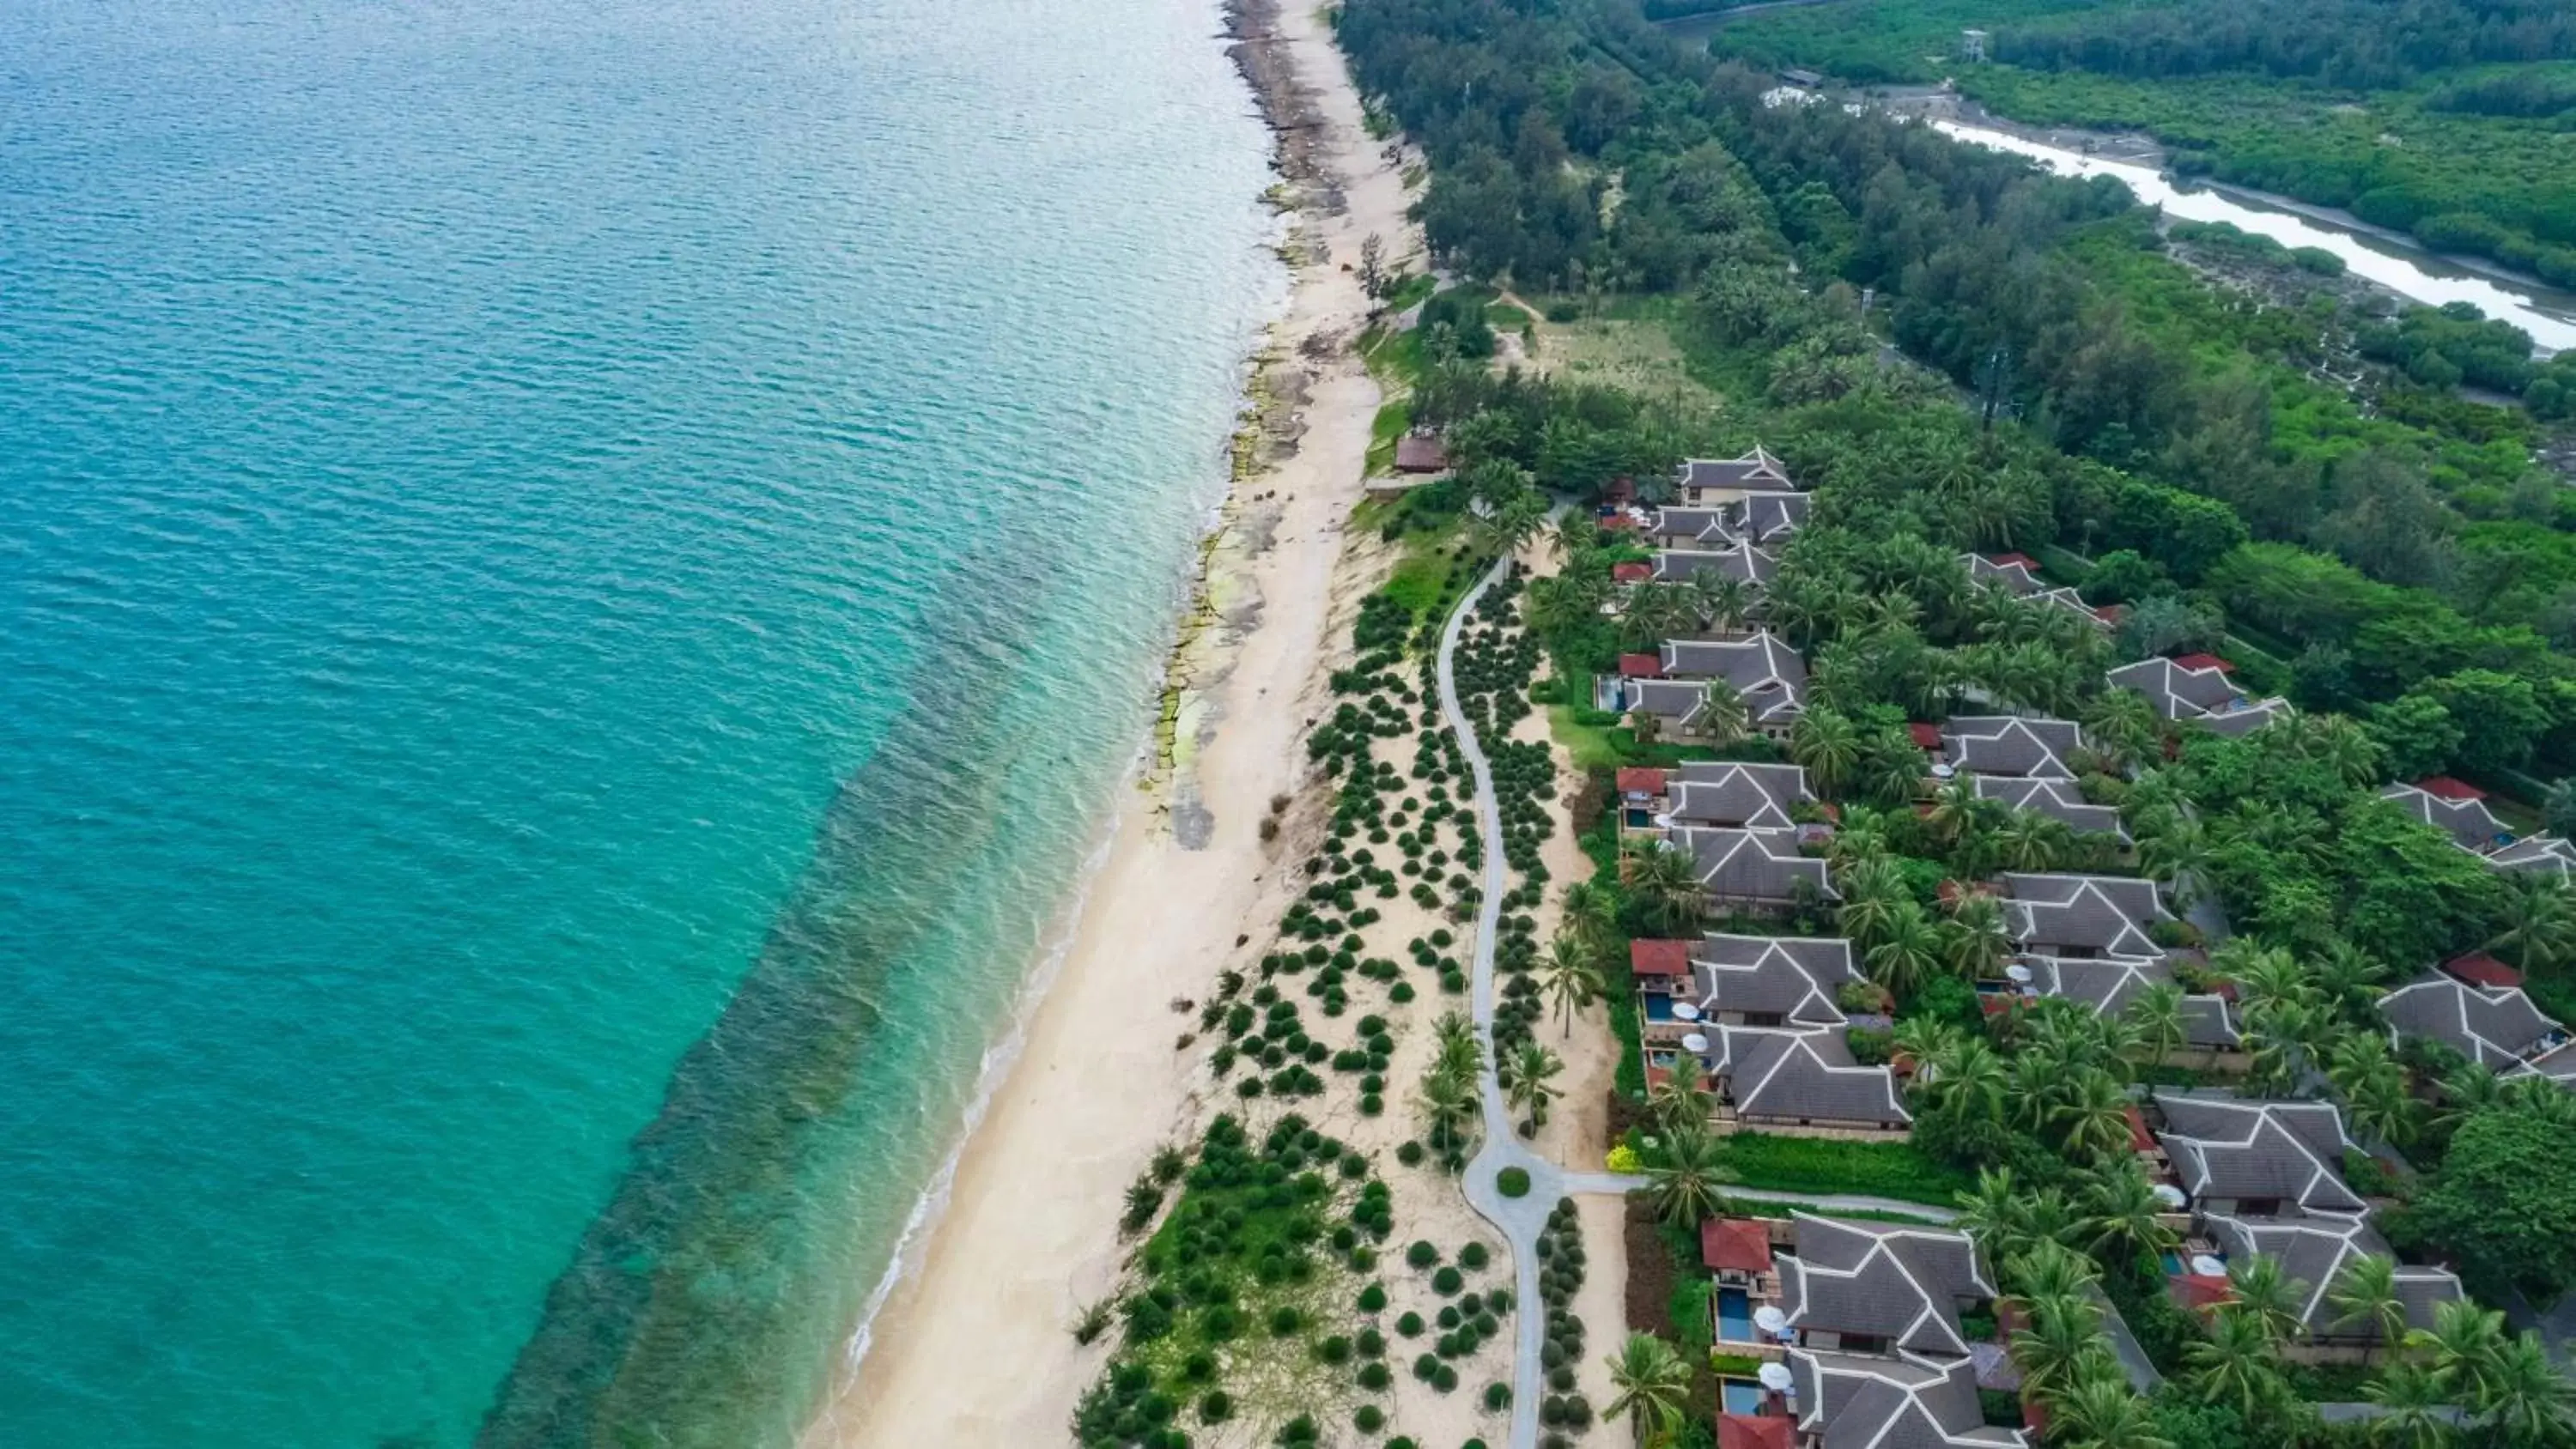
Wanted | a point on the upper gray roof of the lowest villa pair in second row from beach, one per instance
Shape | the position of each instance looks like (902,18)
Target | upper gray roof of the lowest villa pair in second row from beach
(2240,1149)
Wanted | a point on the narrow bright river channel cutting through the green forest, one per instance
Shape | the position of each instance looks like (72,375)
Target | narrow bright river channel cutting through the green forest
(2400,266)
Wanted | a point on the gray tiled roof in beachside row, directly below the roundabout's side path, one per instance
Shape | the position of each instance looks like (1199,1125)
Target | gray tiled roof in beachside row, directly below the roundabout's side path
(1887,1280)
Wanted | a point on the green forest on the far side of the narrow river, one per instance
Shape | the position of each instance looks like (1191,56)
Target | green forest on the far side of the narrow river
(2438,117)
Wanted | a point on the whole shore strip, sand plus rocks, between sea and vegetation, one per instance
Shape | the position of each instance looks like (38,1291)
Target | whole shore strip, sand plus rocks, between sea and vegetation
(1019,1226)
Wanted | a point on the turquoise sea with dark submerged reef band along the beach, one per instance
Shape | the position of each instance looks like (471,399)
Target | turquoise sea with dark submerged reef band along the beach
(576,583)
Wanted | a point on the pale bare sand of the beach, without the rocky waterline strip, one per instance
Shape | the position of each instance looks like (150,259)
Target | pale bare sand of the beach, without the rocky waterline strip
(975,1342)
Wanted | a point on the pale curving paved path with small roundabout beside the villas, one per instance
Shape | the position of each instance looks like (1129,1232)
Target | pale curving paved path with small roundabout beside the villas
(1521,1219)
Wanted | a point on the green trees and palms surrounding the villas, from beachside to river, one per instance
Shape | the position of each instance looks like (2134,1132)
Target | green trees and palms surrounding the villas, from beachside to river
(2150,444)
